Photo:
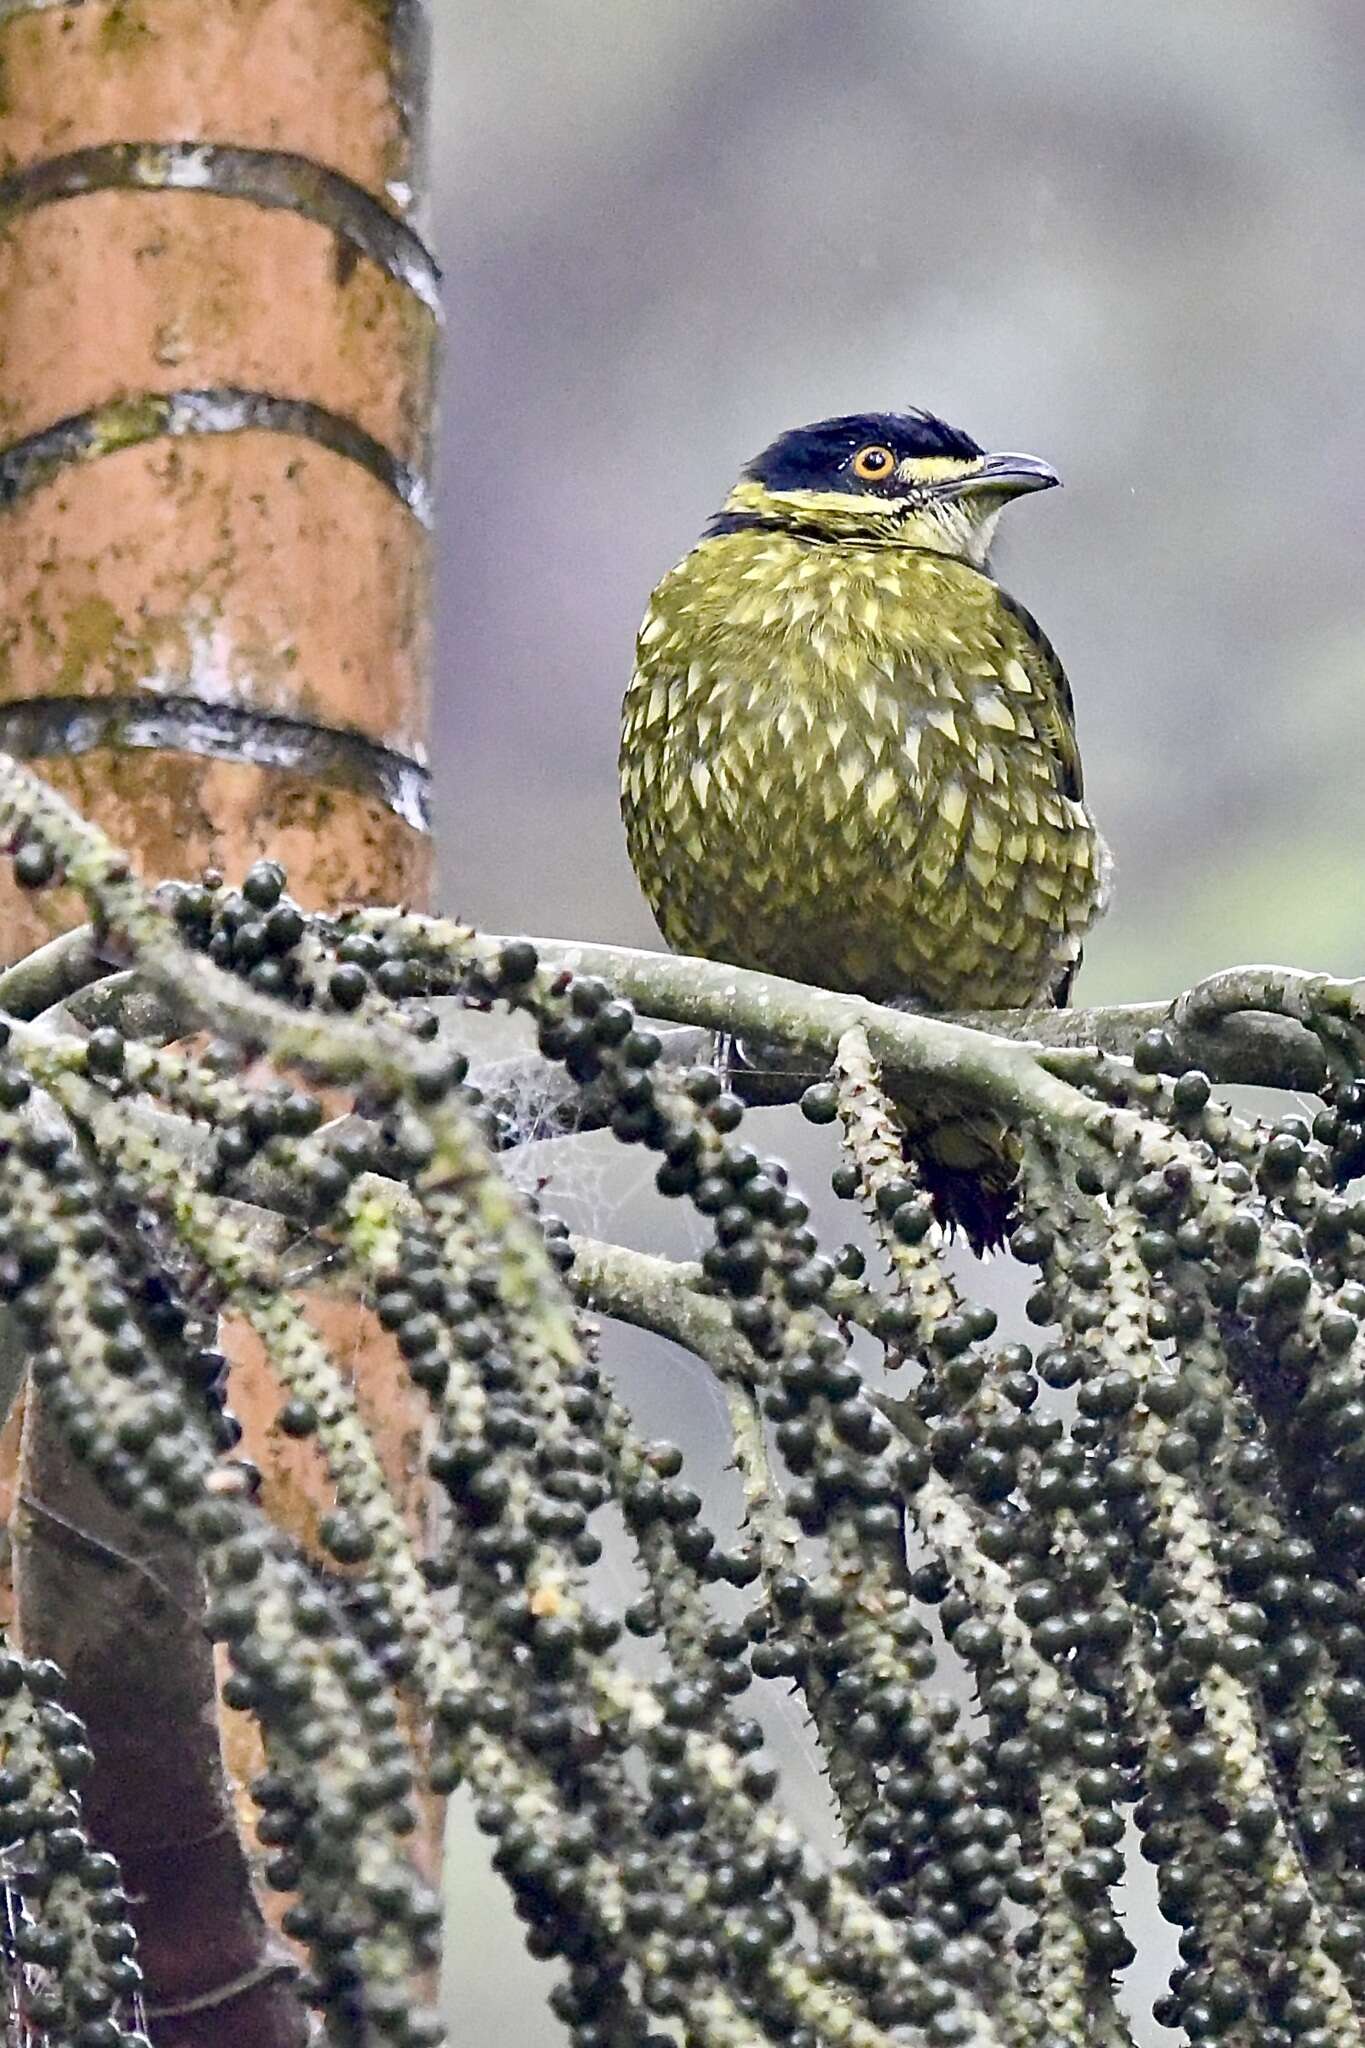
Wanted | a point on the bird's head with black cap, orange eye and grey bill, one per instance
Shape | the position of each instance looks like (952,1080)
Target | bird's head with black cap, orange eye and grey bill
(893,478)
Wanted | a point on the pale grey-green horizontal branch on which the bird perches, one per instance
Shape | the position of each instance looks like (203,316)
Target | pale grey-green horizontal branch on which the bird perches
(1266,1027)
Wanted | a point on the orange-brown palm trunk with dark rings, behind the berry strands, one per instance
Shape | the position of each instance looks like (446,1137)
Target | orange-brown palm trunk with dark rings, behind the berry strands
(218,341)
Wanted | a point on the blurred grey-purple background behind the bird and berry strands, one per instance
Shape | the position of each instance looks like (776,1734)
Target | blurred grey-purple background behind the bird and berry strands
(1125,239)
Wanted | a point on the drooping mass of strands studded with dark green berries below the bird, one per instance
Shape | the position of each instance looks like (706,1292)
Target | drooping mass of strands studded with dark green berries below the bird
(1135,1543)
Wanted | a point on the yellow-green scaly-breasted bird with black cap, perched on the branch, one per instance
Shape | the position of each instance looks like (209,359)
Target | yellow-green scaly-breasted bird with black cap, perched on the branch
(850,757)
